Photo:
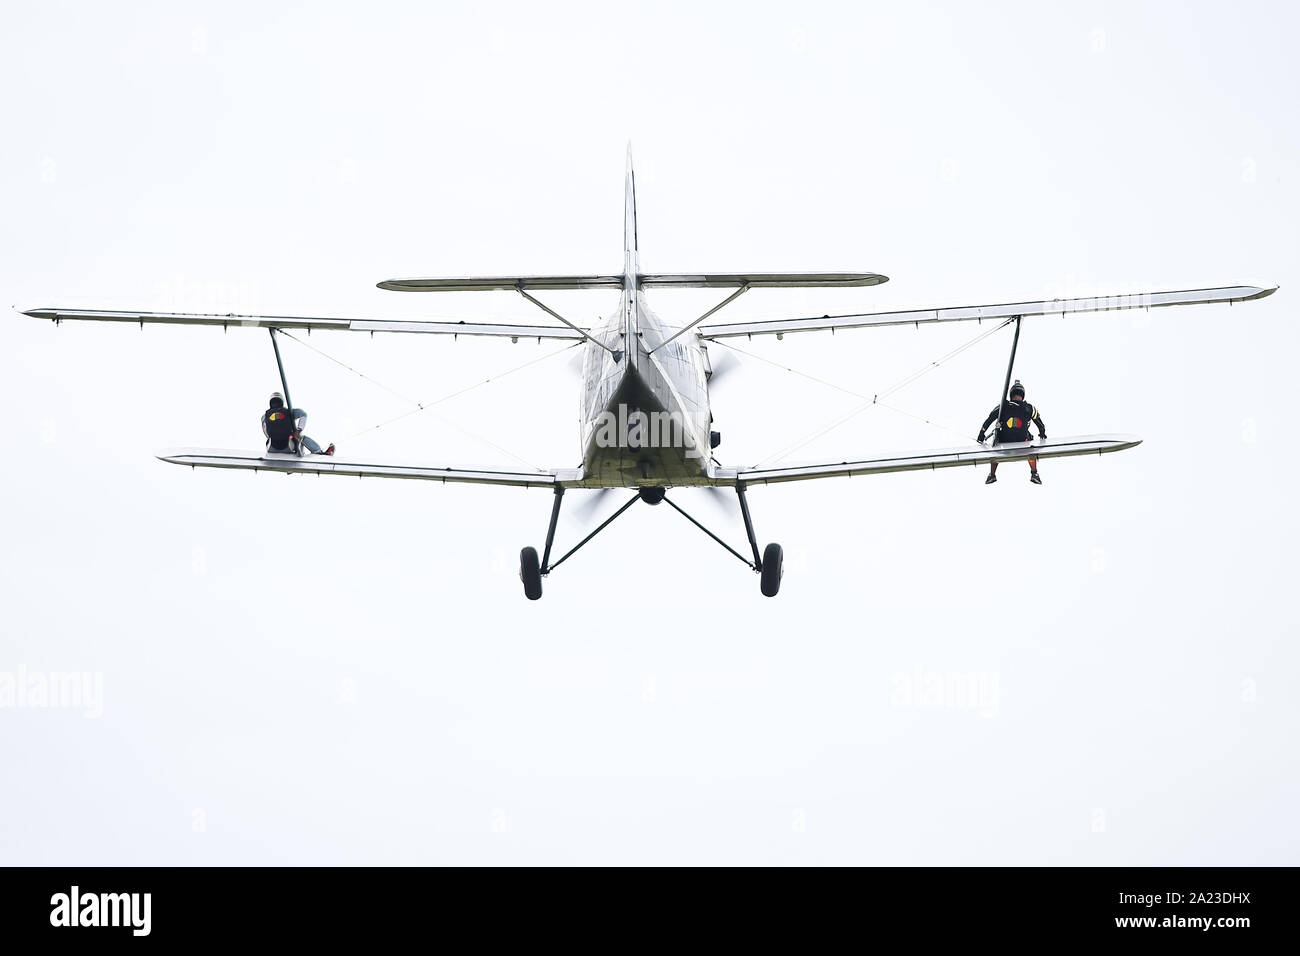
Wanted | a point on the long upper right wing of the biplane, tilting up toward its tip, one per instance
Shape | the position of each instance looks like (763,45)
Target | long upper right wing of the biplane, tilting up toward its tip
(1098,304)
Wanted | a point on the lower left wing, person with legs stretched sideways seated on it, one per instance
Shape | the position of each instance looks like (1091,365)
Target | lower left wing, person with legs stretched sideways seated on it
(320,465)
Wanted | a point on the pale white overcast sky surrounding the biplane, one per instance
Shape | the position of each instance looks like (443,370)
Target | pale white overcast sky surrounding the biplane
(323,672)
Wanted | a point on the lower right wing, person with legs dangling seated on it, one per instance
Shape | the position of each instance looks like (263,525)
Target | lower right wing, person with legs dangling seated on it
(929,461)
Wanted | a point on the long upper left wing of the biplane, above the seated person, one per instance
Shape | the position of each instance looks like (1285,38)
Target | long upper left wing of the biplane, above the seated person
(275,322)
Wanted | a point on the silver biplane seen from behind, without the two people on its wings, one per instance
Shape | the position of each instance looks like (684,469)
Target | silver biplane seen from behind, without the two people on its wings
(647,421)
